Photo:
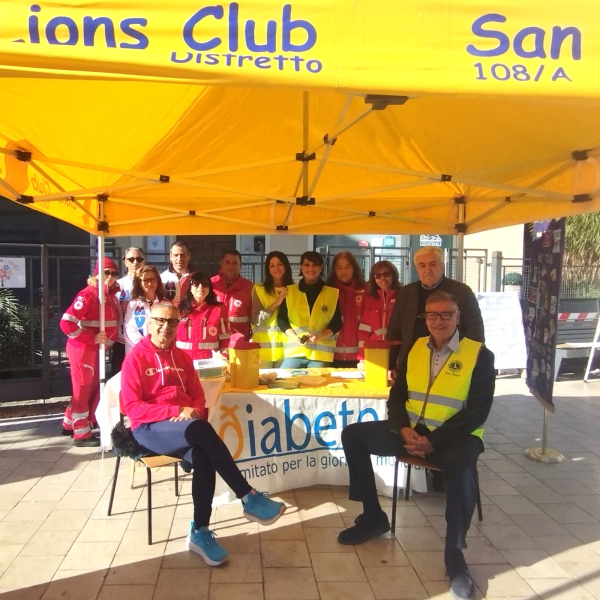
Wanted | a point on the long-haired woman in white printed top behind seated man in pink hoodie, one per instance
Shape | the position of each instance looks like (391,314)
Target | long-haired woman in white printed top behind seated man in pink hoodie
(146,289)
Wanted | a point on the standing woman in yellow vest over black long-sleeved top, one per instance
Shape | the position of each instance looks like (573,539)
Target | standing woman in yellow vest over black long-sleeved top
(310,318)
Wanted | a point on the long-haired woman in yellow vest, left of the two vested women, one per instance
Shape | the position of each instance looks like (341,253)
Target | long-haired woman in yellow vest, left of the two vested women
(266,300)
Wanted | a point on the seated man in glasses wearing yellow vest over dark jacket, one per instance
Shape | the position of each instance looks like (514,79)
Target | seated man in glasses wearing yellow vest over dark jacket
(436,409)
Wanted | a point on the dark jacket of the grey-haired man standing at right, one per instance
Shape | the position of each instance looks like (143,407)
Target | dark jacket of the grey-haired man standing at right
(406,308)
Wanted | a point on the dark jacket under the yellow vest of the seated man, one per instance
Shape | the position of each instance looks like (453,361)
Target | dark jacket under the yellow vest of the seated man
(474,415)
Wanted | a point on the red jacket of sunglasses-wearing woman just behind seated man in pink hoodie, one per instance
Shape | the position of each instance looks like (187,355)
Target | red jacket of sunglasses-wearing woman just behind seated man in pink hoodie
(205,329)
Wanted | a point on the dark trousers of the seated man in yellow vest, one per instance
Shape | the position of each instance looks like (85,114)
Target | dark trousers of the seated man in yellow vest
(457,461)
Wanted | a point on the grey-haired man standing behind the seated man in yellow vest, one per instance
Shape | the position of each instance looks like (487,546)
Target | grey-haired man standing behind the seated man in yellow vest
(406,323)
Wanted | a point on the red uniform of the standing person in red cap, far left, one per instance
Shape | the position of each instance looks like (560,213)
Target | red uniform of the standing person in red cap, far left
(81,323)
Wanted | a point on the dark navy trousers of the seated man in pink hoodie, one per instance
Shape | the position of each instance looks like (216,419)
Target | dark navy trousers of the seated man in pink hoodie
(197,442)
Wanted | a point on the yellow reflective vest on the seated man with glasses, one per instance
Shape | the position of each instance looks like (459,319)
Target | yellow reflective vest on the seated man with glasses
(434,402)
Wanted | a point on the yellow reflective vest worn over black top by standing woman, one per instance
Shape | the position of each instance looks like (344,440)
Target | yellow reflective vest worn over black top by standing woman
(303,321)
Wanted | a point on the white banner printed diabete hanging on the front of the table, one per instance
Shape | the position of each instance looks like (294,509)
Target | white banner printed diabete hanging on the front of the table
(284,443)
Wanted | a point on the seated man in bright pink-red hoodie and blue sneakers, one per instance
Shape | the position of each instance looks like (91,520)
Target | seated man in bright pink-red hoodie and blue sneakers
(164,401)
